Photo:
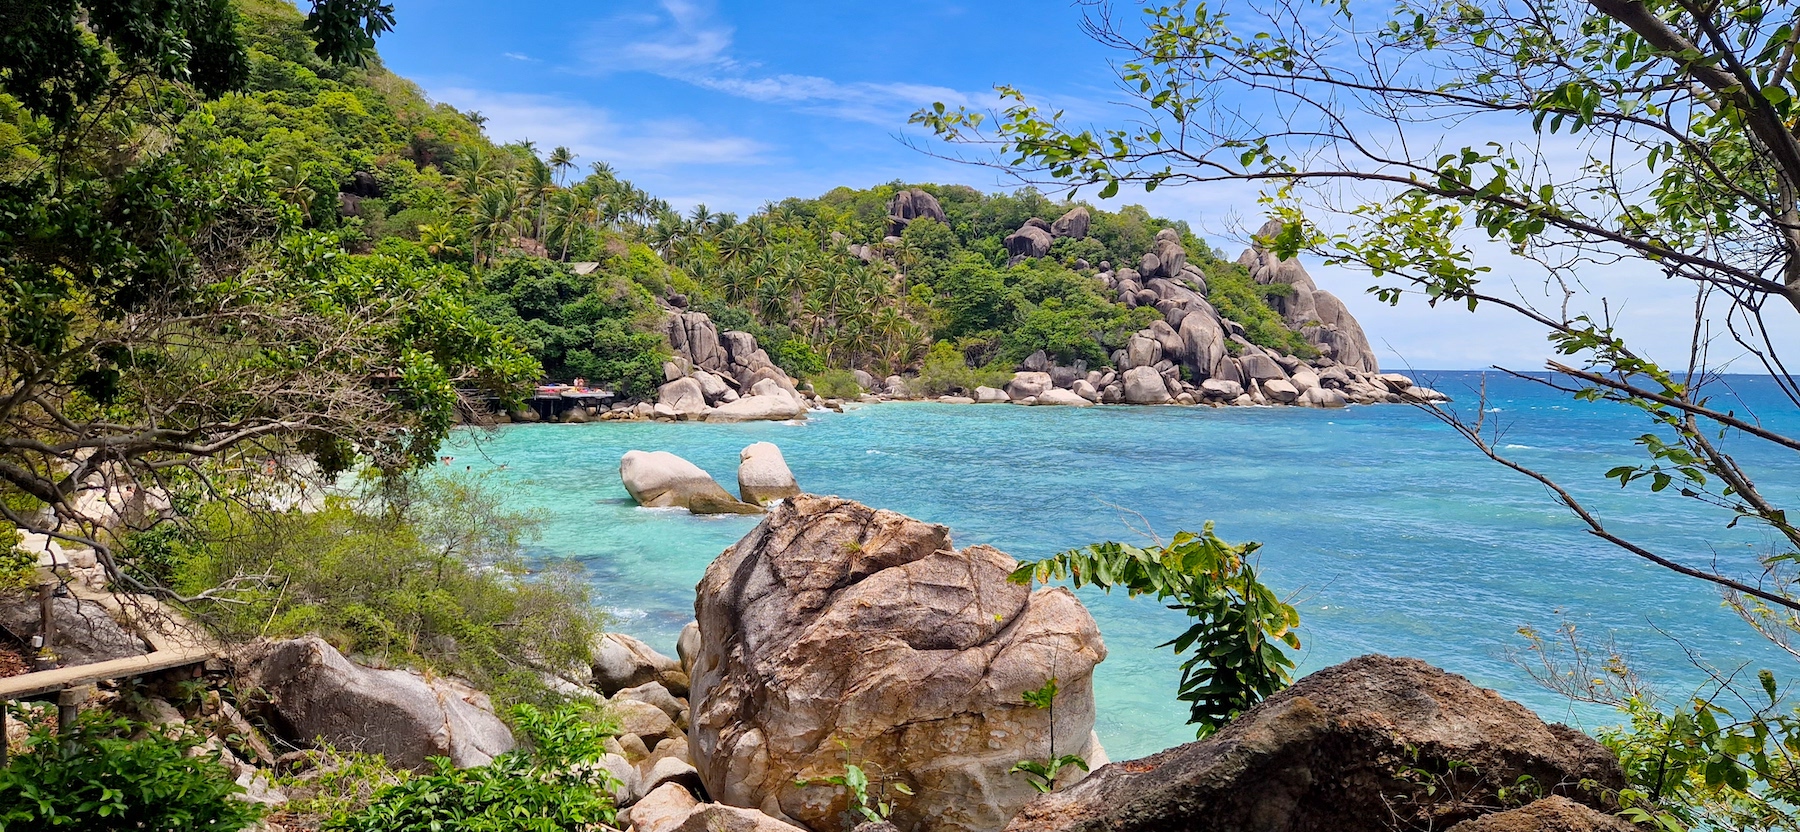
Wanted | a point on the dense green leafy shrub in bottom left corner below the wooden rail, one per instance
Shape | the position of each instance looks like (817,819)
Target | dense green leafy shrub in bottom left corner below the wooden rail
(111,773)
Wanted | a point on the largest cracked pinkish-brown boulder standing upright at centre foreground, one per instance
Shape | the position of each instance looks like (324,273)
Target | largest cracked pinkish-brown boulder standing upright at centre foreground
(840,633)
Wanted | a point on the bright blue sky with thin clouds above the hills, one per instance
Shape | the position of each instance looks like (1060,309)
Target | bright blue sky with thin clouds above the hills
(741,104)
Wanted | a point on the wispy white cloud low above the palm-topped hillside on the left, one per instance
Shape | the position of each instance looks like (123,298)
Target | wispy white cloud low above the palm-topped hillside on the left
(597,134)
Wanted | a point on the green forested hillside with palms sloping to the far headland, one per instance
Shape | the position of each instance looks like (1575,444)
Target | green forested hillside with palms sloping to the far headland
(579,266)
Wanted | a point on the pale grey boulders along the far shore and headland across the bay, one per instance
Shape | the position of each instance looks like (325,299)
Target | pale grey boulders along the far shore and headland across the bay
(1189,357)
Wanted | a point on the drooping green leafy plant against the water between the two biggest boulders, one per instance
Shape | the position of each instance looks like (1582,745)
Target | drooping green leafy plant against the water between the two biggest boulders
(1239,622)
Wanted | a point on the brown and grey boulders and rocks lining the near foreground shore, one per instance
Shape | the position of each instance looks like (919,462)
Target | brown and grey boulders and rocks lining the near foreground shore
(838,637)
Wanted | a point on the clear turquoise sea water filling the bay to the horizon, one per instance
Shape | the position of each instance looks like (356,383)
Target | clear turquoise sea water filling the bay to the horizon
(1392,532)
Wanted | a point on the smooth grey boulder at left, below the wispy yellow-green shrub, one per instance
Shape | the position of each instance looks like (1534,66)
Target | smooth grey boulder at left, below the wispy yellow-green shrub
(318,696)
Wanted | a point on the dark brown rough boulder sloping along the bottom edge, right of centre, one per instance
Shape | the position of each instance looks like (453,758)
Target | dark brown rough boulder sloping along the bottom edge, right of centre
(1329,755)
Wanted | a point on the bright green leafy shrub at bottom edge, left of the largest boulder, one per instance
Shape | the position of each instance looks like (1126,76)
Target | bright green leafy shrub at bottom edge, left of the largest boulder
(555,784)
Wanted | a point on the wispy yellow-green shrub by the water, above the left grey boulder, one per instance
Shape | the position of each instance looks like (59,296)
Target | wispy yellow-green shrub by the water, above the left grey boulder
(427,575)
